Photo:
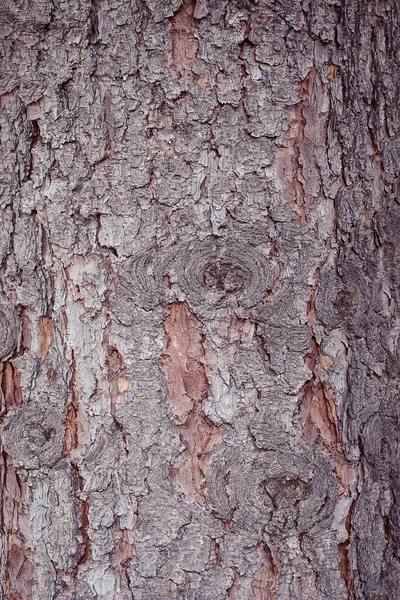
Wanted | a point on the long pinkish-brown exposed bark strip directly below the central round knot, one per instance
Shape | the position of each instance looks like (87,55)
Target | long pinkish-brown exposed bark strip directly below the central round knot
(187,387)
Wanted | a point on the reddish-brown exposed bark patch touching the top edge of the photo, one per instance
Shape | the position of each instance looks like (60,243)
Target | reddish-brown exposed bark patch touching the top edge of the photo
(183,46)
